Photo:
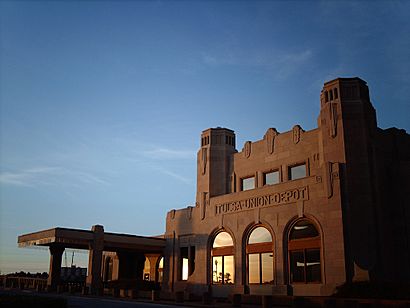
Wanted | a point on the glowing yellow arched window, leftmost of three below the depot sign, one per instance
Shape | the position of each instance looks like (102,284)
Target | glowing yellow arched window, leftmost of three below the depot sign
(223,265)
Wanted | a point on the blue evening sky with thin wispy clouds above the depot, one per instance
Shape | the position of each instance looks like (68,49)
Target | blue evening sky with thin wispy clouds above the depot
(102,103)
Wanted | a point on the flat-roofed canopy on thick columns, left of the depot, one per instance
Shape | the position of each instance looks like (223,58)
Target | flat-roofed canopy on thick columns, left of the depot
(131,249)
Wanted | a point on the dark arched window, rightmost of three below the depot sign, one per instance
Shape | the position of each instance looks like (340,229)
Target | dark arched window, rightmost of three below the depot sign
(304,253)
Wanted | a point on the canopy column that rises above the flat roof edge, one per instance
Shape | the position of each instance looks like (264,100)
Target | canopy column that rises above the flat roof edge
(94,280)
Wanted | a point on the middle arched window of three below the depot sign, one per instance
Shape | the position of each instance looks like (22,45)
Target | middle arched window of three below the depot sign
(260,256)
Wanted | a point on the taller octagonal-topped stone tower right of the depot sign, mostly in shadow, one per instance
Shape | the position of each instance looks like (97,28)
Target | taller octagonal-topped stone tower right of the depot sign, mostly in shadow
(347,124)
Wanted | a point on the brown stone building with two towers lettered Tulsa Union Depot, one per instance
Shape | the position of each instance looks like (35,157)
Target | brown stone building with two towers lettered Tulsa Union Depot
(298,212)
